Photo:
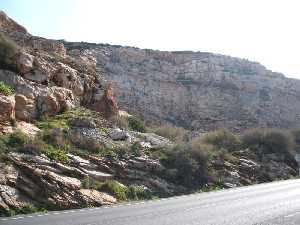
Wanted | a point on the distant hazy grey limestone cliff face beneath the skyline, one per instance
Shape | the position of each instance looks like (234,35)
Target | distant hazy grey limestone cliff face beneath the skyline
(198,90)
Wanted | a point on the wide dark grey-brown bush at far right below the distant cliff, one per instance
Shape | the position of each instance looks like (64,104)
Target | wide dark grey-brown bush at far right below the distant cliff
(266,141)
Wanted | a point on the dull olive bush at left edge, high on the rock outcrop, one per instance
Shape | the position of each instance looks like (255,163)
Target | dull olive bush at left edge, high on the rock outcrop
(8,53)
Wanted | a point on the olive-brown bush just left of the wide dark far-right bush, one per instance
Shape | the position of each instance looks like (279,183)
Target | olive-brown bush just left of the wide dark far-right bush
(222,139)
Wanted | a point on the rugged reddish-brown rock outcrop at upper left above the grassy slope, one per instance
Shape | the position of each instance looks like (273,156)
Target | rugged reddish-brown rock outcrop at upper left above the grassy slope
(47,80)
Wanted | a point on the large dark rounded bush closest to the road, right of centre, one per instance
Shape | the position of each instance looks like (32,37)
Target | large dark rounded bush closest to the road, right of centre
(188,166)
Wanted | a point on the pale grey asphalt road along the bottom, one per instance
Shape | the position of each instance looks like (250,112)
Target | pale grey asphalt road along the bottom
(264,204)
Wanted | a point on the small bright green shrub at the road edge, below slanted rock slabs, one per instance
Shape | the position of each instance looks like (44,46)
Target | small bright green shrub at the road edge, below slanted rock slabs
(114,188)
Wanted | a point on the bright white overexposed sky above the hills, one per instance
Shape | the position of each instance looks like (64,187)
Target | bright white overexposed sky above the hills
(266,31)
